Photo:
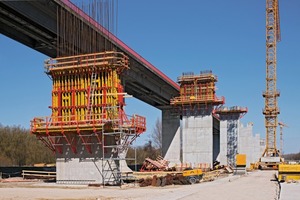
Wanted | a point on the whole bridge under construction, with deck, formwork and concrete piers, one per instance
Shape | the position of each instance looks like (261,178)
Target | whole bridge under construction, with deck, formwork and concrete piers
(92,73)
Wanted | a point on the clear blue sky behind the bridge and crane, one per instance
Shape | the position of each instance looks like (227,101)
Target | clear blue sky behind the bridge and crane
(227,37)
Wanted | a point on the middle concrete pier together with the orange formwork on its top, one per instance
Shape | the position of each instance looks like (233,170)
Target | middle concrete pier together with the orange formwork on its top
(196,142)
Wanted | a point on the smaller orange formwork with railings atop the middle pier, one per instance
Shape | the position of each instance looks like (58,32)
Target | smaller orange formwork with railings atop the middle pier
(197,91)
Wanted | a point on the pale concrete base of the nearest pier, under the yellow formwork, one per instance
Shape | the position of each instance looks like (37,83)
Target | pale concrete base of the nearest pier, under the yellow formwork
(84,167)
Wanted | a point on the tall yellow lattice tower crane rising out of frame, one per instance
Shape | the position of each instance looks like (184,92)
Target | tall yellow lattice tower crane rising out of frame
(270,156)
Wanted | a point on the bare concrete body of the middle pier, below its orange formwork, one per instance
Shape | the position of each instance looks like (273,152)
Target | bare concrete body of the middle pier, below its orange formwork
(193,140)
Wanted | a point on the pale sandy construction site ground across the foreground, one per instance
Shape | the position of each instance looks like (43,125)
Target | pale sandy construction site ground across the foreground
(254,185)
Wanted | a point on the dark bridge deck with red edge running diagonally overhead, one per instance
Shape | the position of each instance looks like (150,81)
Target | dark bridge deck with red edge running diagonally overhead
(34,23)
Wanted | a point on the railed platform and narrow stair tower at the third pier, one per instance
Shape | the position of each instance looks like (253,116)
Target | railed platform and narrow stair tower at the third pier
(231,115)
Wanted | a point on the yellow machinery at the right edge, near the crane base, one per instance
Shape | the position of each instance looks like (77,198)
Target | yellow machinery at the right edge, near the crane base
(288,172)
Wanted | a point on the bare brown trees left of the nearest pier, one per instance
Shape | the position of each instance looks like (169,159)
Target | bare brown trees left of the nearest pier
(20,148)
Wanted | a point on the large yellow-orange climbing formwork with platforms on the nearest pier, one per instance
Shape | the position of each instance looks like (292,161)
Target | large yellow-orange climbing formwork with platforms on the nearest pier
(88,111)
